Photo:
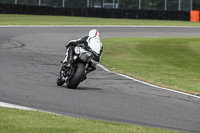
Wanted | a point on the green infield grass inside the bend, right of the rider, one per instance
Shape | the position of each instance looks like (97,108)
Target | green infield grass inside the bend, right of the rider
(171,62)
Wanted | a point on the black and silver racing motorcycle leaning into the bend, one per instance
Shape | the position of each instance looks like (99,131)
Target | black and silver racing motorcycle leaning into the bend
(74,72)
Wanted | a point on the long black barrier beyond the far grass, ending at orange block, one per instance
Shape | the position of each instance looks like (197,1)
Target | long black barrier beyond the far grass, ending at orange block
(95,12)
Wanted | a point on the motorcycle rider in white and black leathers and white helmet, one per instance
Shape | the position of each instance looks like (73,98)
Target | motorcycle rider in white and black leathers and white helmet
(91,43)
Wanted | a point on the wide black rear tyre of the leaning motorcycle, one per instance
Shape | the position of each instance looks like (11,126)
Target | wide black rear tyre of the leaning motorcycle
(78,76)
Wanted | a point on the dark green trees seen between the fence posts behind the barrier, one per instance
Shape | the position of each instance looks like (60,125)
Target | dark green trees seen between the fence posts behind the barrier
(123,4)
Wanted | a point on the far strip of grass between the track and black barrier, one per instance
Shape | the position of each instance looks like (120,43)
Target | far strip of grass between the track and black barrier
(8,19)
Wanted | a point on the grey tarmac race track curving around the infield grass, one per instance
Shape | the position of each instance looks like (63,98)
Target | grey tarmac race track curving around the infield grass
(30,61)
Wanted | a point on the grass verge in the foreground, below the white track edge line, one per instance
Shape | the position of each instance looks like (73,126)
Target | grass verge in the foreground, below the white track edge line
(20,121)
